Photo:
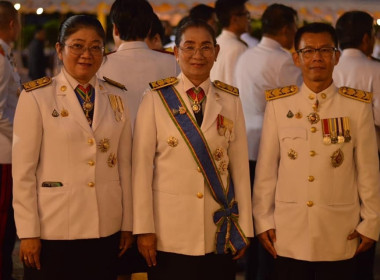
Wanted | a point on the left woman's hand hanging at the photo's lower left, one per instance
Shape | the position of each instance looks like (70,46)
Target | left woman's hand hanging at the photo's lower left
(30,249)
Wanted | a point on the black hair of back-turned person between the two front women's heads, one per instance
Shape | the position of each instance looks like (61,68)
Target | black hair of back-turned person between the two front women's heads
(133,18)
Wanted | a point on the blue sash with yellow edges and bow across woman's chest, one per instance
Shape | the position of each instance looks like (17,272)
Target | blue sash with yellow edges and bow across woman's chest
(229,236)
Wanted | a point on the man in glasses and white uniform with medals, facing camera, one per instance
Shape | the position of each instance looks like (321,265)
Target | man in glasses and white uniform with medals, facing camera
(316,200)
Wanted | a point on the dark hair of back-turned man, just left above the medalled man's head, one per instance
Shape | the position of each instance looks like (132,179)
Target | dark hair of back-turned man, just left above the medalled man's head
(275,17)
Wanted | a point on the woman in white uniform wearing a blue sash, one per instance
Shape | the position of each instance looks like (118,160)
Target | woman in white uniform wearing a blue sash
(191,193)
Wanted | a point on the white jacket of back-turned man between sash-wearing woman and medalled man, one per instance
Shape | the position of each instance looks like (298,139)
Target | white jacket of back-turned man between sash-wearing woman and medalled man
(264,67)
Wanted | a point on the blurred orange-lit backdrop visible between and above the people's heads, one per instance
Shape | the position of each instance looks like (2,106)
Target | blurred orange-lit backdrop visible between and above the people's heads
(35,52)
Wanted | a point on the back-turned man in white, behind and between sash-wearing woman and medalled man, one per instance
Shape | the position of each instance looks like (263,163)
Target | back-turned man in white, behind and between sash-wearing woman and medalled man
(267,66)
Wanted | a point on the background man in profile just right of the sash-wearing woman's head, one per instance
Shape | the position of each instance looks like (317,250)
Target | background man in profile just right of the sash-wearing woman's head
(234,19)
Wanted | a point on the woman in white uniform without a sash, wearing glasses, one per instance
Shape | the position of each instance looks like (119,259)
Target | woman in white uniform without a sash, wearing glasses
(72,162)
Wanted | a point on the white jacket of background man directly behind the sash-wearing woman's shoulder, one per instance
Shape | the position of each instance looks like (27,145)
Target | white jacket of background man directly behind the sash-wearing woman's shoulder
(231,47)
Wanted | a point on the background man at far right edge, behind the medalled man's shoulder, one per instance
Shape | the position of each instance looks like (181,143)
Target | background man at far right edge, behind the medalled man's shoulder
(356,36)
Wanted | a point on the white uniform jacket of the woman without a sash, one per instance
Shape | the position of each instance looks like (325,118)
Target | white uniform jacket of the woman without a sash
(95,197)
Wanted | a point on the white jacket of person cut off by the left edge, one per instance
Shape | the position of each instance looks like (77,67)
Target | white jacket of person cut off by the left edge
(9,90)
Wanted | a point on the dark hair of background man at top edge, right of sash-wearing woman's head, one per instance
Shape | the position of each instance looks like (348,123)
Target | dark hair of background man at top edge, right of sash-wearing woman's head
(225,9)
